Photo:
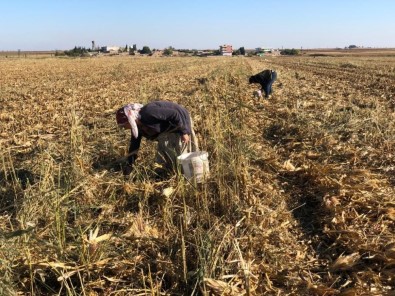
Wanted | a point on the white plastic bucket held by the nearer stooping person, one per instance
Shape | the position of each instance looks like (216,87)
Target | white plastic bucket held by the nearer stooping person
(195,165)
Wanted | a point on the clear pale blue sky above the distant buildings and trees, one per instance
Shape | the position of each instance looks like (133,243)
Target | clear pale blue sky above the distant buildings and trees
(194,24)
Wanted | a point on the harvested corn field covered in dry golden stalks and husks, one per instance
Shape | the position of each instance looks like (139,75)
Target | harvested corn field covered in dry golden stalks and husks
(300,199)
